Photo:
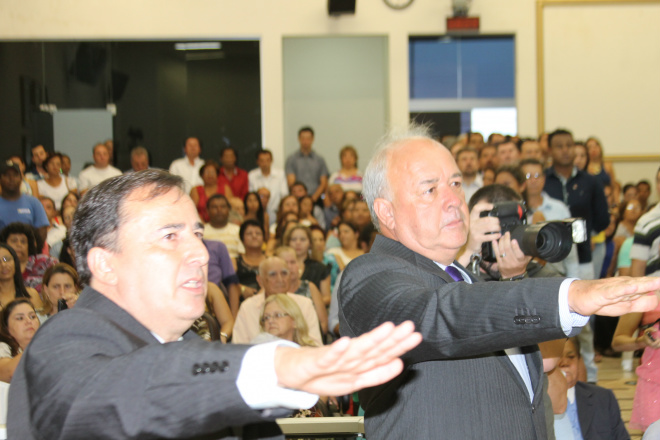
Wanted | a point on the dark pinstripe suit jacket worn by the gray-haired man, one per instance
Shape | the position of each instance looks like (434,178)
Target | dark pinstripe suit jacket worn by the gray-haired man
(458,383)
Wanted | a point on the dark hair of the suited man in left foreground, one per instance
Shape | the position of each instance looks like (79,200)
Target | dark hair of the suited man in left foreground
(100,213)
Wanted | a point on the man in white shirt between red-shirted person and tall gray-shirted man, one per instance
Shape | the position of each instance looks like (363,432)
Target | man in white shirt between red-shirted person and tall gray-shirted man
(273,179)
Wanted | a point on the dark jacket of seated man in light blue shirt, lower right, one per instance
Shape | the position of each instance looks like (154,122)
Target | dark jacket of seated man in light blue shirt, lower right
(599,413)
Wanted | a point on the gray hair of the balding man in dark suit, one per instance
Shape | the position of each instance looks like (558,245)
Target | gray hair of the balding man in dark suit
(374,182)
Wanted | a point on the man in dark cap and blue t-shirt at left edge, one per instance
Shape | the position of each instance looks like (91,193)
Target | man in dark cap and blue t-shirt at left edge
(18,207)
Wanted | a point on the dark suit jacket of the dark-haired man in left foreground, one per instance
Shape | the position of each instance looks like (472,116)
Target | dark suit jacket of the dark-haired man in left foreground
(95,372)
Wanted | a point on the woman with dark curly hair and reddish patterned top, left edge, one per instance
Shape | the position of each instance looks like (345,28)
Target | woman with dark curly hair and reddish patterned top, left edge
(22,239)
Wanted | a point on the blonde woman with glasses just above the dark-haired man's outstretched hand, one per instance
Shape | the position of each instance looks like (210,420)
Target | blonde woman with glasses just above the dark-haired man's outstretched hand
(282,318)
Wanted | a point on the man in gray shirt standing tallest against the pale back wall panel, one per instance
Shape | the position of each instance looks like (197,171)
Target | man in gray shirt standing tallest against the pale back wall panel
(306,166)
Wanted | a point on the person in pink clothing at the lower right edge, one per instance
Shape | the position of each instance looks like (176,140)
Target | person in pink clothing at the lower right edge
(645,404)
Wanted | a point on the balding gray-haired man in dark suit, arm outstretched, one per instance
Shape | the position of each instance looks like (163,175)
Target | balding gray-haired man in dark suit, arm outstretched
(458,383)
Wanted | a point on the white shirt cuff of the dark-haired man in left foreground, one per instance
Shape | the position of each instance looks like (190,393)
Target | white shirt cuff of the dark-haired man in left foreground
(257,381)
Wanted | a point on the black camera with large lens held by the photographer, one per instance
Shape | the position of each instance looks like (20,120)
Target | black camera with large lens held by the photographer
(550,241)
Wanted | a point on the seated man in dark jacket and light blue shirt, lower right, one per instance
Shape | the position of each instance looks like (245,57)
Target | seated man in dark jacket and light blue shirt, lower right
(593,411)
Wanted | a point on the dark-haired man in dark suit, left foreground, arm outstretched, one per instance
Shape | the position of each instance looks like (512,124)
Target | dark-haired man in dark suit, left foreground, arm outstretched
(121,365)
